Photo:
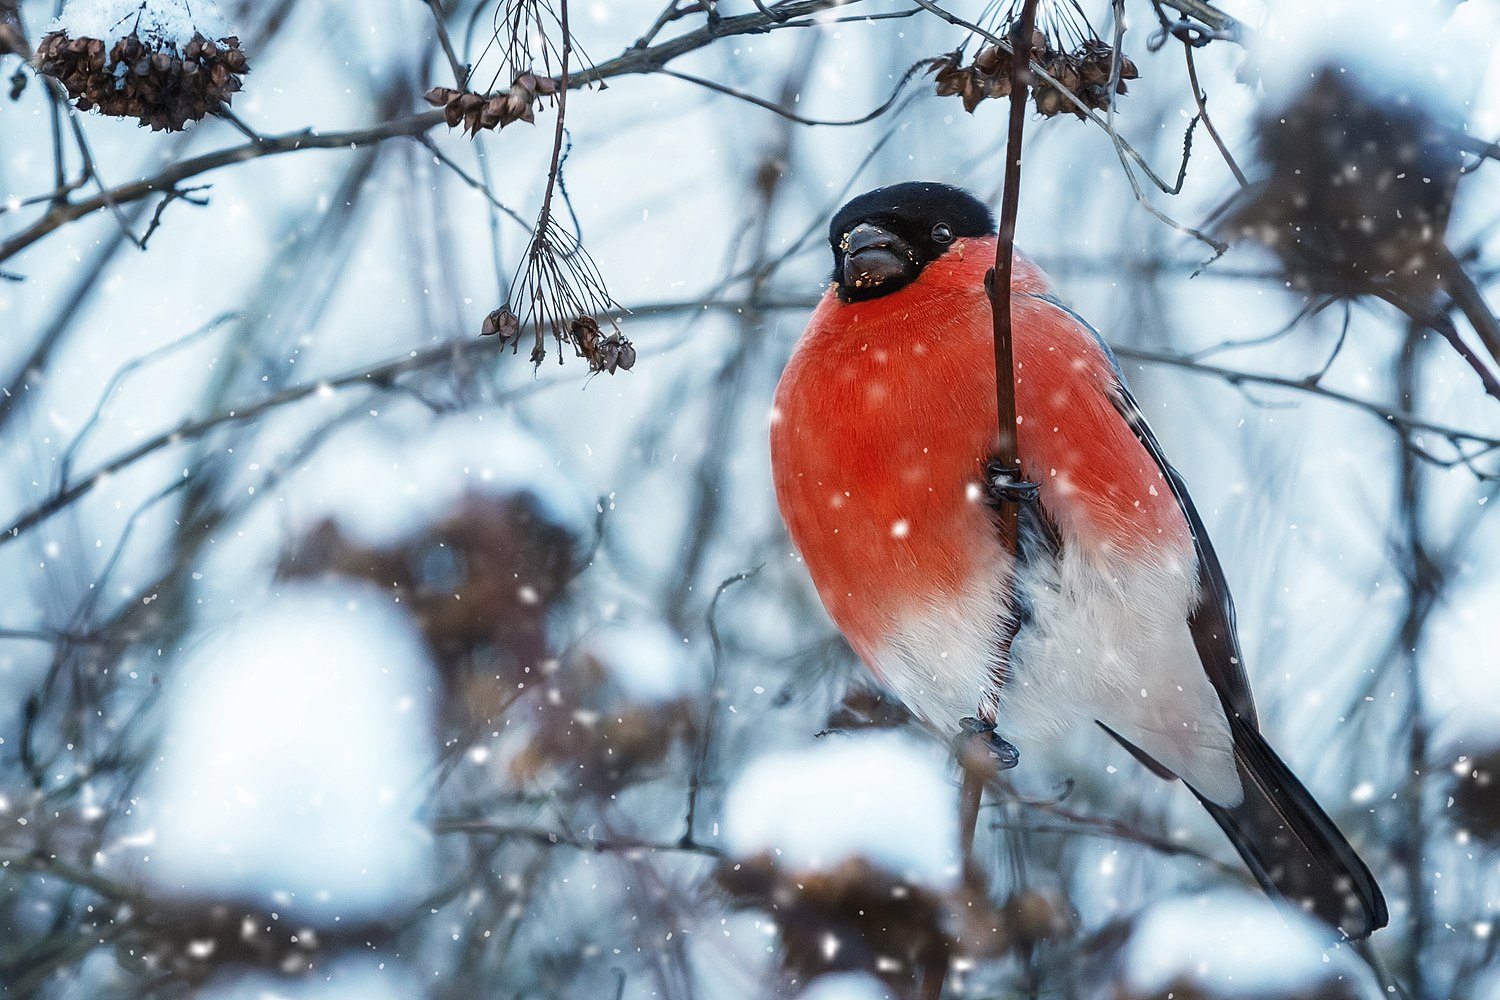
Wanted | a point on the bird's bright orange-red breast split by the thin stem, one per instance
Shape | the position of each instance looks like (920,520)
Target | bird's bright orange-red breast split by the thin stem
(886,418)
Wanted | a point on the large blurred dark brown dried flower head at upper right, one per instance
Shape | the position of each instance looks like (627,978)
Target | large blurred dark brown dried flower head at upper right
(1355,190)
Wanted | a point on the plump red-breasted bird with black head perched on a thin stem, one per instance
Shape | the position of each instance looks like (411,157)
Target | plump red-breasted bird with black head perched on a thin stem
(883,436)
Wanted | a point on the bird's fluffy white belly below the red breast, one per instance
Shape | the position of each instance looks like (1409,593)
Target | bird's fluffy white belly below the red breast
(1106,641)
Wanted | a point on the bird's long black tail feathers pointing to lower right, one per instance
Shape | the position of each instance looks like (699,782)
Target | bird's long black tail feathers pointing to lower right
(1292,846)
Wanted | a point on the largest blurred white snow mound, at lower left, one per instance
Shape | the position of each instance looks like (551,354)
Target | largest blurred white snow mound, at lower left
(295,753)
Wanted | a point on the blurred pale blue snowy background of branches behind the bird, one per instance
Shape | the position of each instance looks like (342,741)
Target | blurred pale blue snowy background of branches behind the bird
(346,656)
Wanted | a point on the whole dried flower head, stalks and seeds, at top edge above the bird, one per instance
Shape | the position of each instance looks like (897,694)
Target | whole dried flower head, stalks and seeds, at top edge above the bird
(1064,44)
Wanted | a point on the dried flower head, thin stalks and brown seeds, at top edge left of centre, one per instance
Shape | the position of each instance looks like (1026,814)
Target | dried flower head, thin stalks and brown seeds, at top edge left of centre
(527,44)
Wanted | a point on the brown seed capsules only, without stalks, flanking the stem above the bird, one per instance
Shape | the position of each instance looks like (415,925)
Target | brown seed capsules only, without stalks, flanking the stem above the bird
(1085,73)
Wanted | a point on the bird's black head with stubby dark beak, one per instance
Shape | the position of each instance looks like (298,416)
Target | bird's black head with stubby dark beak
(884,239)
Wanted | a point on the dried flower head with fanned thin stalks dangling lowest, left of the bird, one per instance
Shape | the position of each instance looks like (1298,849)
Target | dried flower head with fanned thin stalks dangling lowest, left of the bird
(559,290)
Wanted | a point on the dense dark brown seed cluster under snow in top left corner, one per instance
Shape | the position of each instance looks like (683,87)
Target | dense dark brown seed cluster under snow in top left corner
(146,79)
